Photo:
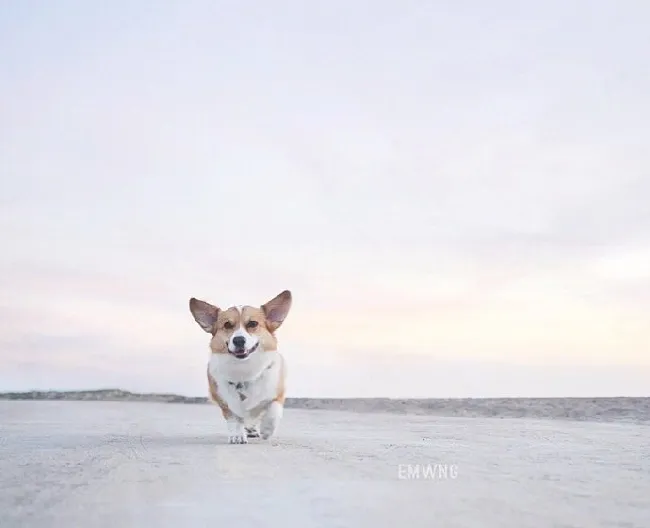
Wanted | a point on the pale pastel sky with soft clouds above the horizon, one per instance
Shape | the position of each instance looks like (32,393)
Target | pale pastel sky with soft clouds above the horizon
(456,193)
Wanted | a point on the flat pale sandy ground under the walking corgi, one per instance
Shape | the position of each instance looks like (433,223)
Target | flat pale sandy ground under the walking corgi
(103,464)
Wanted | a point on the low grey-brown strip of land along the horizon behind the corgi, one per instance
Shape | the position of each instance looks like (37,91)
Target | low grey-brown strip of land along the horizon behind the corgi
(600,409)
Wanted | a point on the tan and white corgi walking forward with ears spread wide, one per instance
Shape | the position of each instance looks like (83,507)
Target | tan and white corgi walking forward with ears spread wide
(246,372)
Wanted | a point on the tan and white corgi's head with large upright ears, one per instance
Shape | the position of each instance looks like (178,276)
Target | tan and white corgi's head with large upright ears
(242,330)
